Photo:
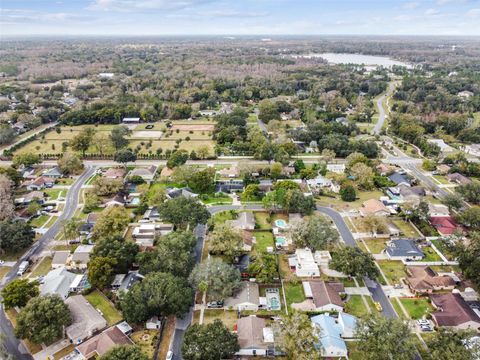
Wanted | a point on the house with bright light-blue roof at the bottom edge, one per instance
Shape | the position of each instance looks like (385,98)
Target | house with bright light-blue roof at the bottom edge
(332,332)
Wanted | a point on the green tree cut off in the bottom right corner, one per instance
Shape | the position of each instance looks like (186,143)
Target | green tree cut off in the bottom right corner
(451,344)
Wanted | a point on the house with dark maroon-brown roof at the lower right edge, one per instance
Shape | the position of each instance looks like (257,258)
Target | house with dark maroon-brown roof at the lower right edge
(453,311)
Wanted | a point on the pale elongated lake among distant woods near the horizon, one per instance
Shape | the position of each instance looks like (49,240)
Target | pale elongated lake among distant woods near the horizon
(367,60)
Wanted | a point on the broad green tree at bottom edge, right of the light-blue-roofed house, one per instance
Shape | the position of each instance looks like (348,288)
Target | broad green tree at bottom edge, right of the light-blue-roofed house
(381,338)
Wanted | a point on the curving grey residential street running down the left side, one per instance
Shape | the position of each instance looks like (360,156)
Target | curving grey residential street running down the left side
(11,343)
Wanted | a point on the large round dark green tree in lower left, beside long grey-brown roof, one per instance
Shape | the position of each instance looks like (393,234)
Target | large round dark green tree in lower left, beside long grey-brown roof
(43,319)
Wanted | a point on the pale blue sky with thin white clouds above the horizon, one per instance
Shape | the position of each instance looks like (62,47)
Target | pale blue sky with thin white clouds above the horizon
(239,17)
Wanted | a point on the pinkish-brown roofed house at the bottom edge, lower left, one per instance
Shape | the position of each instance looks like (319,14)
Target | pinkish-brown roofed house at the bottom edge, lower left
(102,343)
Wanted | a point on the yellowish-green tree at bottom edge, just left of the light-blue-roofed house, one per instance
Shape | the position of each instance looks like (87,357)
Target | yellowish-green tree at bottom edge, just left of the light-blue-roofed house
(297,337)
